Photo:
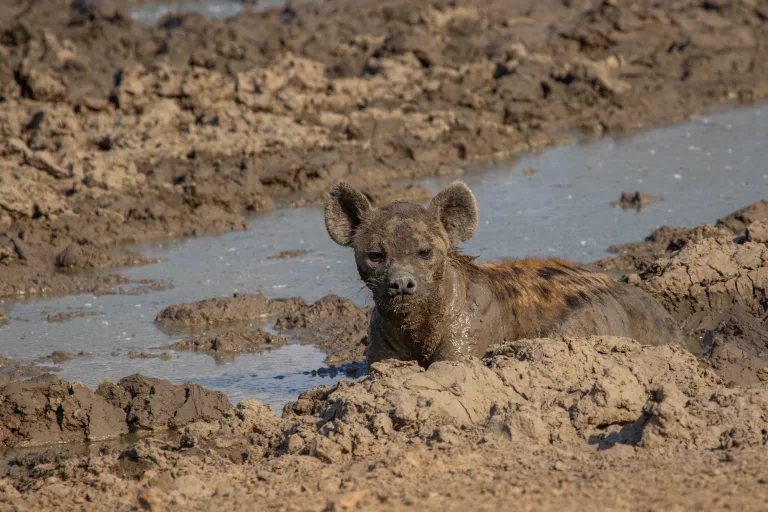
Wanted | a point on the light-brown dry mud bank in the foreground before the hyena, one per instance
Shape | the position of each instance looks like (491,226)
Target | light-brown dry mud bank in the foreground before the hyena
(541,423)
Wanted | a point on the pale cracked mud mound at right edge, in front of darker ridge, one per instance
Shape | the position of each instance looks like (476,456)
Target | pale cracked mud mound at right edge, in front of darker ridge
(718,289)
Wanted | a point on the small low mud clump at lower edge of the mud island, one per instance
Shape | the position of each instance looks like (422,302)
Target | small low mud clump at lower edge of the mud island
(228,344)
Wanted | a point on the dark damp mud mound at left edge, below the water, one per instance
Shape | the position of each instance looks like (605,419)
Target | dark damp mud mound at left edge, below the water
(46,409)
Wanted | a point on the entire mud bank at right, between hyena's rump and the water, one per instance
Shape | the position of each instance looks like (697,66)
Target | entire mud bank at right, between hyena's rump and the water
(714,281)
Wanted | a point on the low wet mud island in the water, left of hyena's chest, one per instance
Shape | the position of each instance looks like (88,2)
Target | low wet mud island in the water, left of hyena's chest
(333,324)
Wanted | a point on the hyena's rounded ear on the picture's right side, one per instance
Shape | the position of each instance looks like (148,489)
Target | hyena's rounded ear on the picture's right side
(456,208)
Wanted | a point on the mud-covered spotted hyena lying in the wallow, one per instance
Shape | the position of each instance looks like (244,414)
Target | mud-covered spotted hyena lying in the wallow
(433,303)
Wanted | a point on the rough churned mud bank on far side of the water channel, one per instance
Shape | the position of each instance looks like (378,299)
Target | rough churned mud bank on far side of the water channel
(117,132)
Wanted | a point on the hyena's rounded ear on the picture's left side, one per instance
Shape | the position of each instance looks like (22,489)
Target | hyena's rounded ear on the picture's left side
(345,209)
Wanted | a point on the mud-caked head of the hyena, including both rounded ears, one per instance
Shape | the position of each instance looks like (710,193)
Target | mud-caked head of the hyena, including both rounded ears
(401,249)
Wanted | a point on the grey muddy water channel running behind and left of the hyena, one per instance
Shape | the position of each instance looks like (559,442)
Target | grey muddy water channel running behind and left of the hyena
(704,170)
